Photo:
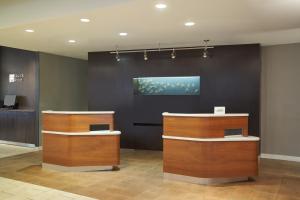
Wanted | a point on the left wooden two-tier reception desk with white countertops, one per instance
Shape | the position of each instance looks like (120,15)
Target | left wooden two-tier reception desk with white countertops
(69,145)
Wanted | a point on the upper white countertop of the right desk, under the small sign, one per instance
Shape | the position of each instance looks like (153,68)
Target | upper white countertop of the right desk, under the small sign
(205,114)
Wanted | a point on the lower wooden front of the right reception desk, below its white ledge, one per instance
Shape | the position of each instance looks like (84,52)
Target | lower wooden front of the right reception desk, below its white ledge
(210,161)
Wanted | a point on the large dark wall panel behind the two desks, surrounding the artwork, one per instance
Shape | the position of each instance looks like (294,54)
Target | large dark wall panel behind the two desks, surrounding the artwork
(230,77)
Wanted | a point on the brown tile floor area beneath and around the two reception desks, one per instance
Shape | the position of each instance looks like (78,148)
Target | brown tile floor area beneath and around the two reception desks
(140,178)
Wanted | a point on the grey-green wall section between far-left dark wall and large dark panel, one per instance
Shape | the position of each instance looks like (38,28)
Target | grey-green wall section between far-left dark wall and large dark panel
(63,83)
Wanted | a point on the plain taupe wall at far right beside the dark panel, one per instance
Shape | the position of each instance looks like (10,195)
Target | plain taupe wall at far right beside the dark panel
(280,97)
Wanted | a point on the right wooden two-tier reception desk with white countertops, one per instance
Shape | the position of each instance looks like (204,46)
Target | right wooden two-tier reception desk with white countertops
(196,149)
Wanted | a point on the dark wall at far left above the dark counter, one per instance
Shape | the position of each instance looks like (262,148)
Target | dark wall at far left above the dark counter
(18,61)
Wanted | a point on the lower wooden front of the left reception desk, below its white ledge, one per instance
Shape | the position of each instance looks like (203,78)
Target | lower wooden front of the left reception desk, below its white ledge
(81,152)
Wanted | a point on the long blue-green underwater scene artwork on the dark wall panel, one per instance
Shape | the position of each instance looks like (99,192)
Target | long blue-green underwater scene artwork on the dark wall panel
(181,85)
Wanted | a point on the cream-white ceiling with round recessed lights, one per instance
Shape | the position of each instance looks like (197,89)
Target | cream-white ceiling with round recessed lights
(267,22)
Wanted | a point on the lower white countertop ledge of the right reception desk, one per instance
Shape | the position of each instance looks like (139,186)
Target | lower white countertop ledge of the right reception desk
(225,139)
